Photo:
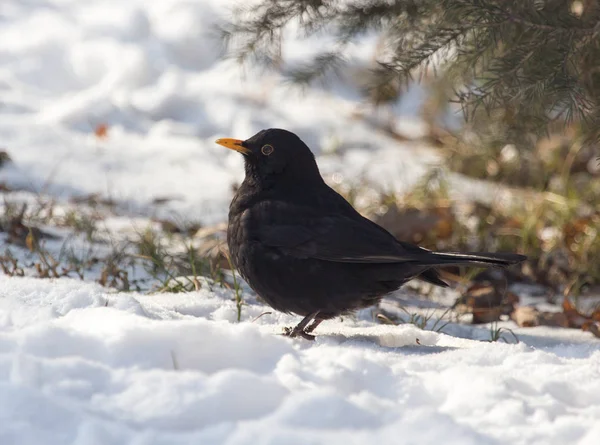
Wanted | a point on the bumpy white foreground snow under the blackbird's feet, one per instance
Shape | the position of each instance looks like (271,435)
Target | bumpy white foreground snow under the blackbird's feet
(82,365)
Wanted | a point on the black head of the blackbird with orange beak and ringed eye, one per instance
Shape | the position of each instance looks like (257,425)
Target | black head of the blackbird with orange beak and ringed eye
(276,156)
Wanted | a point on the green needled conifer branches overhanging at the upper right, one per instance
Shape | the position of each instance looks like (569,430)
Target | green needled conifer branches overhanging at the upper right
(533,61)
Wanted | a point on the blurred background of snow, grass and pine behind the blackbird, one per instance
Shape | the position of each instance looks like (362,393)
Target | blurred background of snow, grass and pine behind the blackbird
(459,125)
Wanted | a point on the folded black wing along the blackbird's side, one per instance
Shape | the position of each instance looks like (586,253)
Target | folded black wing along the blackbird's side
(337,238)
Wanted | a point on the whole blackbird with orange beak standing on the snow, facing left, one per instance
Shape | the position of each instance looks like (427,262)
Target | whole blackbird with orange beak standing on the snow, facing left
(304,249)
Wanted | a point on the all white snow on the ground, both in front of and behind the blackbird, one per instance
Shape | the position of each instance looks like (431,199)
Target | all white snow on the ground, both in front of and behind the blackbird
(82,364)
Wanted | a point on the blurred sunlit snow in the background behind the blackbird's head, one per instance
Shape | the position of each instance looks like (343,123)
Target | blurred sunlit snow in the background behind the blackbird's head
(151,72)
